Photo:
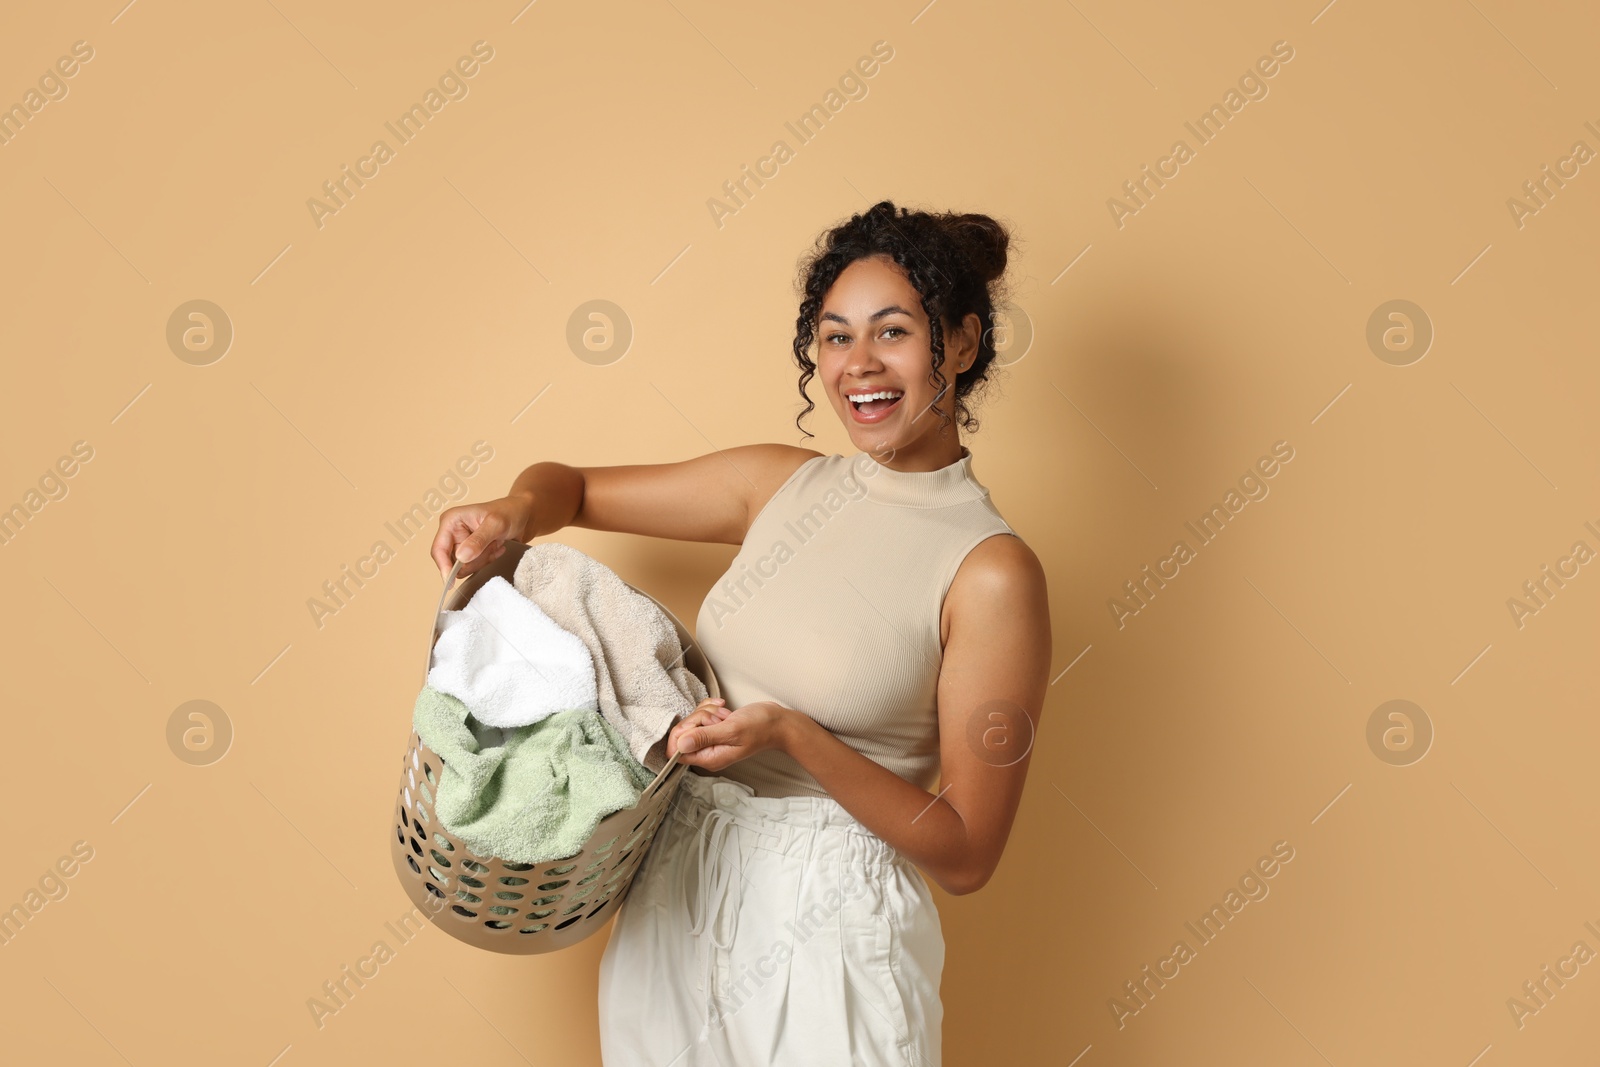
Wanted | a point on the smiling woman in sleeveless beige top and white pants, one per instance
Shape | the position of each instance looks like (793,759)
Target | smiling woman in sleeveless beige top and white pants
(873,637)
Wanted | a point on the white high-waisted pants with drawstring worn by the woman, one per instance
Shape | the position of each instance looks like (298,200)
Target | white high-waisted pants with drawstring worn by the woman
(772,932)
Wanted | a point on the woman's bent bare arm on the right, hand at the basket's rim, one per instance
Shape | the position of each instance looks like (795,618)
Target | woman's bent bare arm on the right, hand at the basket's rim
(993,687)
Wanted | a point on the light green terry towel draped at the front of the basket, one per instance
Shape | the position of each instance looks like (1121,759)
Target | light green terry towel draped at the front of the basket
(529,794)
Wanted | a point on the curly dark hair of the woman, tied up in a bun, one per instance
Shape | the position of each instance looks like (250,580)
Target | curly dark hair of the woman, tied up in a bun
(954,262)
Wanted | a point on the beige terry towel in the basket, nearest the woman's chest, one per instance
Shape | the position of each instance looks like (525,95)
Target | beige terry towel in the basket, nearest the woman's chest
(641,677)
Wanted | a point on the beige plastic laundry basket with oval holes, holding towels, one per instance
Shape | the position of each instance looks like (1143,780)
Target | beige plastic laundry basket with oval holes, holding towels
(522,908)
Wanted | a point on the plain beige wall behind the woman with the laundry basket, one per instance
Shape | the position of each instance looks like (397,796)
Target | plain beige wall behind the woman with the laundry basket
(1228,314)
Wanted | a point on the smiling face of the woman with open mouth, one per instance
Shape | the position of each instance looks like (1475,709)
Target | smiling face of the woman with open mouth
(873,337)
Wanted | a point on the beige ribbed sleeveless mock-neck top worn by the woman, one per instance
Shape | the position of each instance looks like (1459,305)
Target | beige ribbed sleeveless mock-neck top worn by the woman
(833,607)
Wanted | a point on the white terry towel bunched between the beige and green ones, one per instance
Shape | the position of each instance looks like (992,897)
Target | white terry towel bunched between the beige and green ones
(510,663)
